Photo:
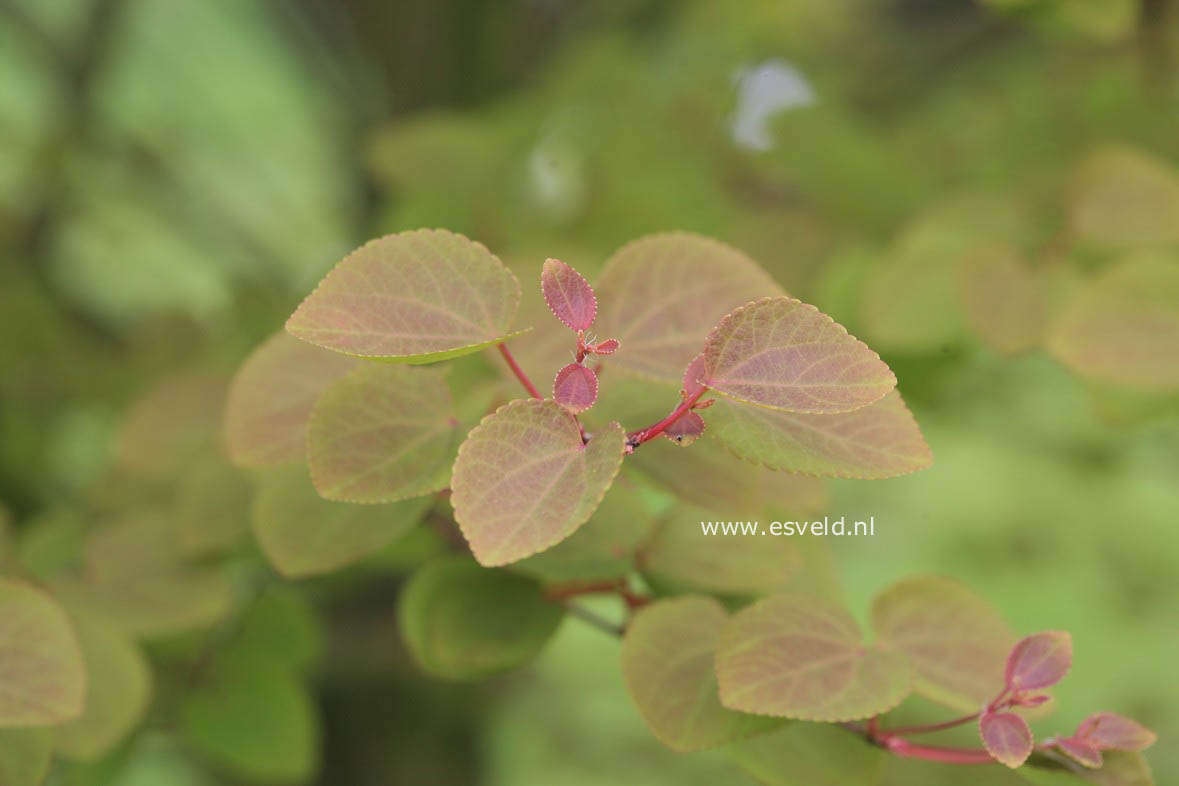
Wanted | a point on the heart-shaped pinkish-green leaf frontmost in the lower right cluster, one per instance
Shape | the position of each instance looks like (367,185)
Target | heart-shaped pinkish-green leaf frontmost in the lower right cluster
(801,657)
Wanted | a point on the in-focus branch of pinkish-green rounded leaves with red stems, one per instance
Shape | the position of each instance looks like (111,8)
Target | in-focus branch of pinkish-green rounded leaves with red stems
(546,494)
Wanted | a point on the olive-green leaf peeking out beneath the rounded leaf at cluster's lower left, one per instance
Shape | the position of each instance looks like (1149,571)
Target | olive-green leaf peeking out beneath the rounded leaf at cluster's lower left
(302,534)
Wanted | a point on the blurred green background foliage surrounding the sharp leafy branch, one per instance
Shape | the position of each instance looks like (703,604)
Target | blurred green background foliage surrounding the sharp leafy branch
(937,175)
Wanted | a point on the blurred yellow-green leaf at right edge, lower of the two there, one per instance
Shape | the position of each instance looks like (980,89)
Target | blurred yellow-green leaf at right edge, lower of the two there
(1123,328)
